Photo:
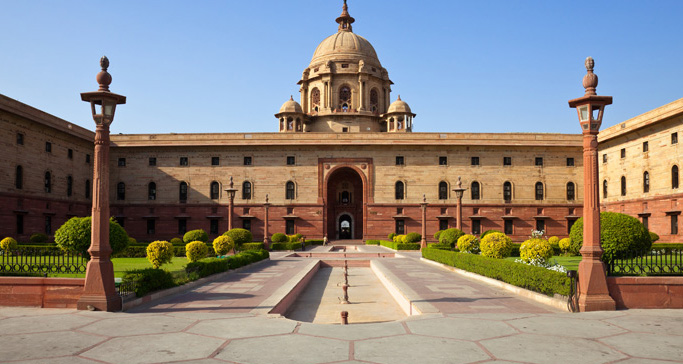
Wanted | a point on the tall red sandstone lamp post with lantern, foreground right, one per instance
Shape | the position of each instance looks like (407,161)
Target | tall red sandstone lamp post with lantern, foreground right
(593,292)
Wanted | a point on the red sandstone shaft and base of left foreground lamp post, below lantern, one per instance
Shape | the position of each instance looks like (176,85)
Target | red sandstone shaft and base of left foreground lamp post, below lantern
(99,292)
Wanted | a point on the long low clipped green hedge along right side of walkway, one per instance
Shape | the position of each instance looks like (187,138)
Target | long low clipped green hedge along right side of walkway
(521,275)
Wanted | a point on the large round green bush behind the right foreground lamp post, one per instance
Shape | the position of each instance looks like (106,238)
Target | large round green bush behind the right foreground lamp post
(621,235)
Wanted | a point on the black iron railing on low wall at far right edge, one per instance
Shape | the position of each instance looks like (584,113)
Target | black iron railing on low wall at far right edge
(660,261)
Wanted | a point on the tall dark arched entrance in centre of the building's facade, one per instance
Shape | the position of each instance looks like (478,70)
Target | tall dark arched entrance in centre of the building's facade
(344,204)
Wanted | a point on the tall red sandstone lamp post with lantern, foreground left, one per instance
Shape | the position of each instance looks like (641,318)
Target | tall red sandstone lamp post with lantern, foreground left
(99,292)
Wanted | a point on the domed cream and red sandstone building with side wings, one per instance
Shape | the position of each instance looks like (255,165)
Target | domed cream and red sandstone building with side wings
(346,162)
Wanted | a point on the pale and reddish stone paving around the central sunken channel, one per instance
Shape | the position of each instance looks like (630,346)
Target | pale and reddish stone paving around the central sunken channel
(224,322)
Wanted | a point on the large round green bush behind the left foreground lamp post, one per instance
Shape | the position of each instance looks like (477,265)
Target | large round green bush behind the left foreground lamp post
(74,236)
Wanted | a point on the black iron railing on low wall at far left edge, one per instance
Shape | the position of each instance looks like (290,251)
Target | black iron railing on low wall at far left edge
(41,260)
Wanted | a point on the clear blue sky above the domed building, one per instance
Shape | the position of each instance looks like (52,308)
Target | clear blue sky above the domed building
(227,66)
